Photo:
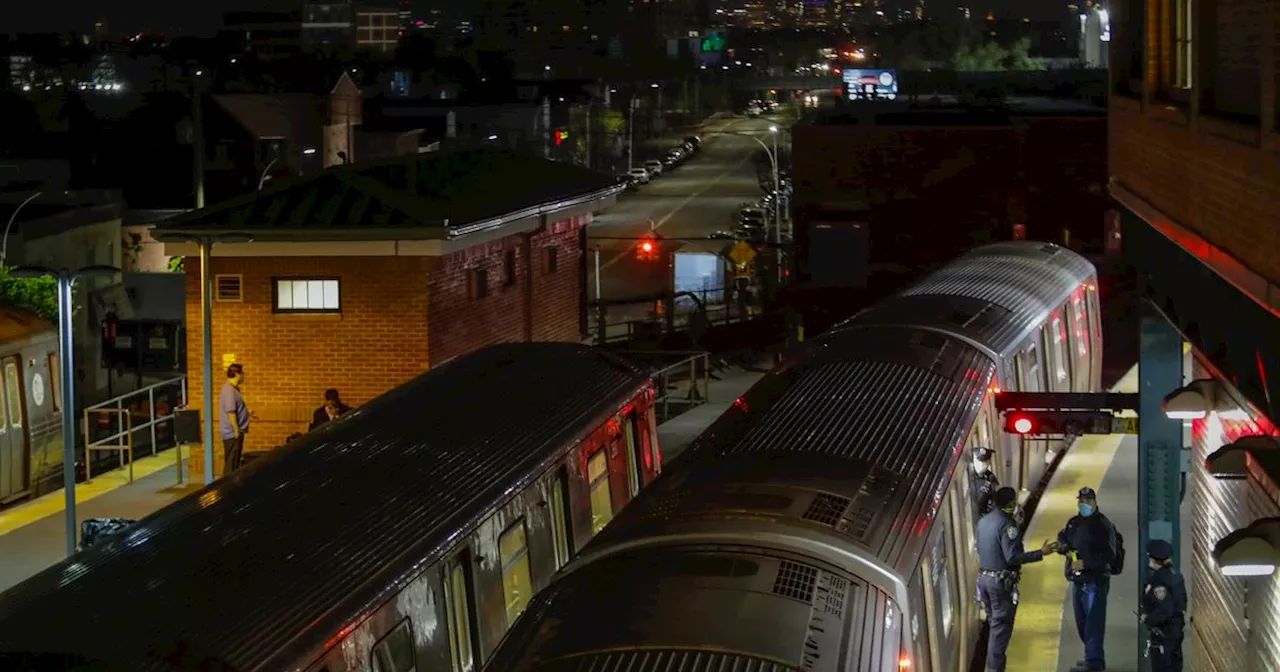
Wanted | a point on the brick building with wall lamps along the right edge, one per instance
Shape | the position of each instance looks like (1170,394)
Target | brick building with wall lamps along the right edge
(1195,162)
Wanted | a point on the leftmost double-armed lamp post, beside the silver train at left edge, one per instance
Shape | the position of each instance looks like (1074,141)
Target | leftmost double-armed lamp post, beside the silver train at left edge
(67,371)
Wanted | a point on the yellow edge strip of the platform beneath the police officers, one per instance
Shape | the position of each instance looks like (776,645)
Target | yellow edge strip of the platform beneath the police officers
(1039,627)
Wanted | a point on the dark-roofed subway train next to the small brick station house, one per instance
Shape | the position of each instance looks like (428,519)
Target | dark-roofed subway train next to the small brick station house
(406,536)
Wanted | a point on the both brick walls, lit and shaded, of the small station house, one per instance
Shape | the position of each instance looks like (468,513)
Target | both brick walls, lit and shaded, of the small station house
(400,316)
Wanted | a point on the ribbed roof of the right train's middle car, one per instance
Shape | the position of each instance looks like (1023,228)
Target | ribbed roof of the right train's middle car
(911,397)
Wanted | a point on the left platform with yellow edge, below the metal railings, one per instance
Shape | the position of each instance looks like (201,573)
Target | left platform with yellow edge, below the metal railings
(34,534)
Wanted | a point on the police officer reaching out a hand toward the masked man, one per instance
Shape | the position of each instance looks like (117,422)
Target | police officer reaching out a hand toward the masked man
(1002,557)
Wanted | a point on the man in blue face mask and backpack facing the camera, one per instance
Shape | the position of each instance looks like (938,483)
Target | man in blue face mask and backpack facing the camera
(1091,547)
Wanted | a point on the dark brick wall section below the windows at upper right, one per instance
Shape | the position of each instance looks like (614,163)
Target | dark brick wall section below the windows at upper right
(1215,180)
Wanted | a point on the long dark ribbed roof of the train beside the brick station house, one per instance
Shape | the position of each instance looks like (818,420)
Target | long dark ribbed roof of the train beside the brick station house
(326,524)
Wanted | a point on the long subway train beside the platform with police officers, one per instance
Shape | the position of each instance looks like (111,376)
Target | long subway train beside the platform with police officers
(826,522)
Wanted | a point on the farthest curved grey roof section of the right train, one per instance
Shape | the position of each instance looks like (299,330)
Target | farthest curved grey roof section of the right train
(995,295)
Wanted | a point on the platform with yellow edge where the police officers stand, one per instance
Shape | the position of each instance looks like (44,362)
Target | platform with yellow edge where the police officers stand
(1045,637)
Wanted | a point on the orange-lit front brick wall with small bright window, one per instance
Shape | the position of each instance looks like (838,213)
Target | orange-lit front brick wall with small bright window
(378,342)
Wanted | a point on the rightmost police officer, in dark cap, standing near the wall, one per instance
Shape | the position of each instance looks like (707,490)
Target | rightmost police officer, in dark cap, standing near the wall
(1164,602)
